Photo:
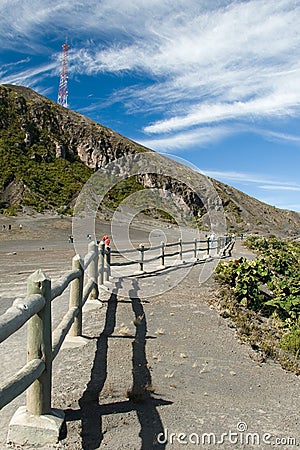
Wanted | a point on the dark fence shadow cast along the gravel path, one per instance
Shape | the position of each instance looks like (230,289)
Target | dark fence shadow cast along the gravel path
(140,395)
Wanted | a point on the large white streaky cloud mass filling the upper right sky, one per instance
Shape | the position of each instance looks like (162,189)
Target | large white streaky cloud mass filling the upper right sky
(237,62)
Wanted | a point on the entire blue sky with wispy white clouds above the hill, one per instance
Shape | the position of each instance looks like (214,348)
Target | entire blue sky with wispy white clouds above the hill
(216,82)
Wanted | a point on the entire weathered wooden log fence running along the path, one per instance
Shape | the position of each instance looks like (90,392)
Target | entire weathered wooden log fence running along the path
(43,343)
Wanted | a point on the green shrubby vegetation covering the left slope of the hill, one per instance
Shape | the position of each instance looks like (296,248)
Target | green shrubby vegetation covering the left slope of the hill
(28,159)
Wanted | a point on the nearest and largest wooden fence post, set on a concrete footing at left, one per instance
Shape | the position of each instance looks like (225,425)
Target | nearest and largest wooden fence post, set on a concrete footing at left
(39,346)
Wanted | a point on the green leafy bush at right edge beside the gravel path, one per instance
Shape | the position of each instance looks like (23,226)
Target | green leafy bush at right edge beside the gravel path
(263,296)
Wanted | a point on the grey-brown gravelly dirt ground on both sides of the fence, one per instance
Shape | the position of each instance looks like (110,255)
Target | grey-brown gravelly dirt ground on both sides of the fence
(165,372)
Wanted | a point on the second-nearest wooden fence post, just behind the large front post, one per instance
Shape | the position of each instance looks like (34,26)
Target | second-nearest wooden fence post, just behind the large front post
(76,296)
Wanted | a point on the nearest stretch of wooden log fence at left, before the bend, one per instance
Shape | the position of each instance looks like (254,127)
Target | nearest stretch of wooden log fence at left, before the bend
(43,344)
